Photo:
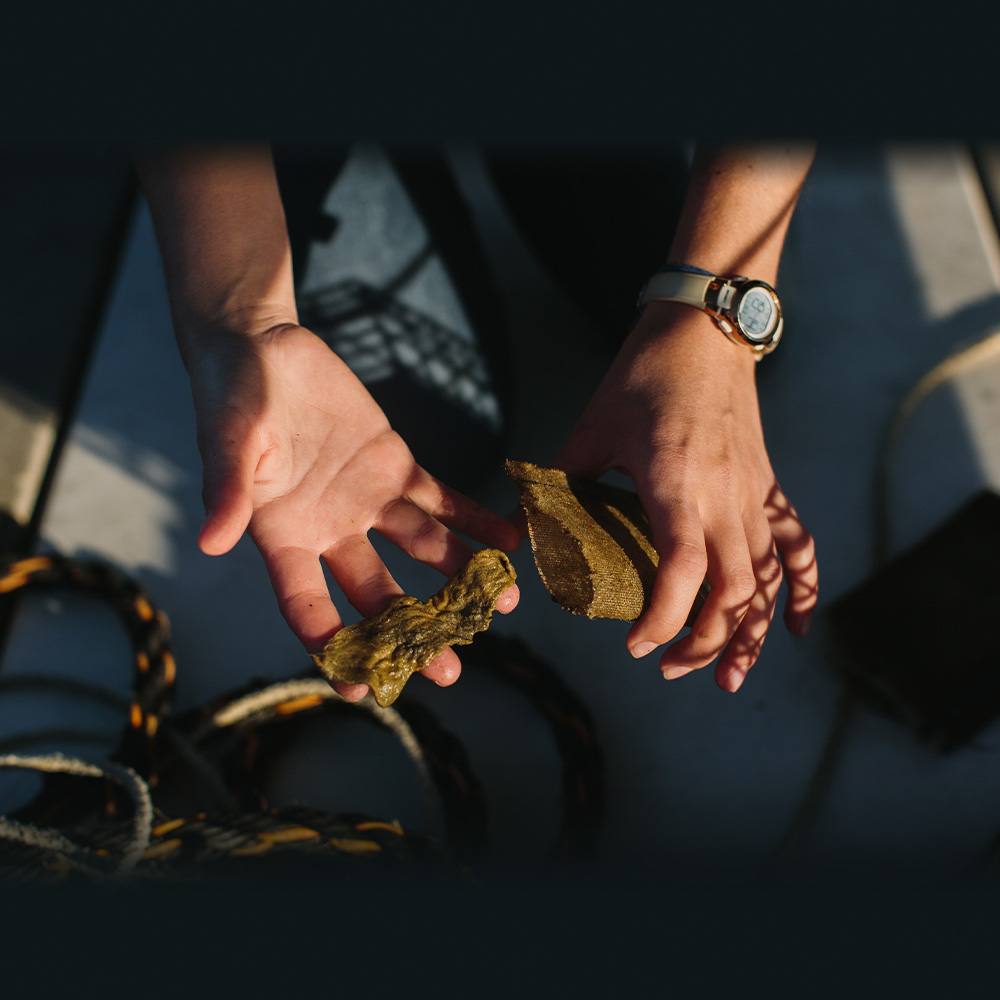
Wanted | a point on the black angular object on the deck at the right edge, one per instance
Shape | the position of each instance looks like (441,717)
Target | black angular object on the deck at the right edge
(918,639)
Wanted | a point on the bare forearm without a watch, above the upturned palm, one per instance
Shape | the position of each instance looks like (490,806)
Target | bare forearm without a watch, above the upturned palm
(221,229)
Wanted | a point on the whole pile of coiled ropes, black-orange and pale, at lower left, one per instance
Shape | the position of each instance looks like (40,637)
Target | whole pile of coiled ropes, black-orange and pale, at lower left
(157,755)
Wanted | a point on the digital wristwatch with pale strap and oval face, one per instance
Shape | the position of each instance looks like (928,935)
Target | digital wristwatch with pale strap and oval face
(747,311)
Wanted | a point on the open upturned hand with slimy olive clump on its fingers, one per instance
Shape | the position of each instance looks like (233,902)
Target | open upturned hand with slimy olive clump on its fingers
(296,450)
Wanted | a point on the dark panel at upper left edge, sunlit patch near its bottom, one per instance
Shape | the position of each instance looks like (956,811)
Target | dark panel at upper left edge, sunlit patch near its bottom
(63,210)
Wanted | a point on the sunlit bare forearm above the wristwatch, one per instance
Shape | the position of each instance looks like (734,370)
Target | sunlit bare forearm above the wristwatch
(739,202)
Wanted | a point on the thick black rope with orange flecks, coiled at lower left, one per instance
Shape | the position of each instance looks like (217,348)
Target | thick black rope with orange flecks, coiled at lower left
(239,825)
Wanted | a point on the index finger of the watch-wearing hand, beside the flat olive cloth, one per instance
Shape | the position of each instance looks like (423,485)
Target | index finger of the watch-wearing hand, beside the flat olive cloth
(680,542)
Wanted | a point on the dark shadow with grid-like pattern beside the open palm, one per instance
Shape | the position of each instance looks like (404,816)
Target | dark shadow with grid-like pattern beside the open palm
(447,397)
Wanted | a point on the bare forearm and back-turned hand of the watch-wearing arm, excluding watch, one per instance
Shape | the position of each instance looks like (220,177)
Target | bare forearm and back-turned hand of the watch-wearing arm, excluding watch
(678,412)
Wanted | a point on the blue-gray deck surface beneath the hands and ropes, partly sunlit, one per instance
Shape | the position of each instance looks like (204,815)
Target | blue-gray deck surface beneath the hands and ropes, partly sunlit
(700,782)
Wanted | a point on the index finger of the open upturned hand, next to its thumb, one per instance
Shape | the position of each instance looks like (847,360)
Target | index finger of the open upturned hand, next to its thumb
(304,600)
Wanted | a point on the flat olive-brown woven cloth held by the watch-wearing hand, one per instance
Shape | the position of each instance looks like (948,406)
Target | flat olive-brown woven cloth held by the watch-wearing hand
(592,543)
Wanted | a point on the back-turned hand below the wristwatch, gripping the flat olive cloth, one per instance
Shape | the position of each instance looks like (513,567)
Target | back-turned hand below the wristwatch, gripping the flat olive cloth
(678,412)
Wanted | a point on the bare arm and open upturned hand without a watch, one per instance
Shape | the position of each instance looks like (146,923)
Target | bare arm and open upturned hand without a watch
(294,448)
